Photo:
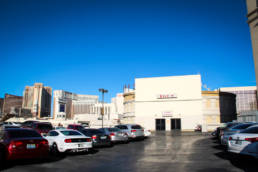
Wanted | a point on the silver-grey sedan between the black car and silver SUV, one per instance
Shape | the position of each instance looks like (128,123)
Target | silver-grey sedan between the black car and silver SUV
(115,134)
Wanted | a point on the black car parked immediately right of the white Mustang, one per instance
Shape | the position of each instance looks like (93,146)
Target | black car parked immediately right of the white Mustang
(98,137)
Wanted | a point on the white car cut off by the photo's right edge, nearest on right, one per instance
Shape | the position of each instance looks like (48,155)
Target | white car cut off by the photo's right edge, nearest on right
(245,142)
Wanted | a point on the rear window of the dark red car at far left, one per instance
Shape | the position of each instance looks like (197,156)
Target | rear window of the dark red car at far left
(23,133)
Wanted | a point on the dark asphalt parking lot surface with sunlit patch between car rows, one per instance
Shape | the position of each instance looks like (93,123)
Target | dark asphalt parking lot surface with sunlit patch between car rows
(164,151)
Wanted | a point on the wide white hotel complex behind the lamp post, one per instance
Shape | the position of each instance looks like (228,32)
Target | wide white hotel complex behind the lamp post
(84,109)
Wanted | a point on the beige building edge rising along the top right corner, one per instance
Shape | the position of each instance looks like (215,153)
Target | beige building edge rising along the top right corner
(252,9)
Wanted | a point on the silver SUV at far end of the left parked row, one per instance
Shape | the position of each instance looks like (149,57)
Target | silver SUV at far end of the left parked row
(133,131)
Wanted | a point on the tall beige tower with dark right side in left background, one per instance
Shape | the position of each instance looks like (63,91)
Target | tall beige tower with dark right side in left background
(37,100)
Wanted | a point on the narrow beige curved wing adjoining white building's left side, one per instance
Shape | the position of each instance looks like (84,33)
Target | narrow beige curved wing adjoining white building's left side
(129,106)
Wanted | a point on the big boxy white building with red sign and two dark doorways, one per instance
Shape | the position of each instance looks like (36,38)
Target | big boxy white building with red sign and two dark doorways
(166,103)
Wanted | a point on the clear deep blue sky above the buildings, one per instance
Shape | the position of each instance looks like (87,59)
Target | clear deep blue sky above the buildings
(83,45)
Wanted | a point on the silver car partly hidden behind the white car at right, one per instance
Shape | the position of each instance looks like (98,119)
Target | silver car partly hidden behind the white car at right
(233,130)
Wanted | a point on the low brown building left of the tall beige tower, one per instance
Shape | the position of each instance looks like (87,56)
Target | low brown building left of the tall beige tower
(12,104)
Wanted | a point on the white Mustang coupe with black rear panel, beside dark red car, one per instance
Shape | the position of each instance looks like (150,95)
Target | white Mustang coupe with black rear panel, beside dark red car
(68,141)
